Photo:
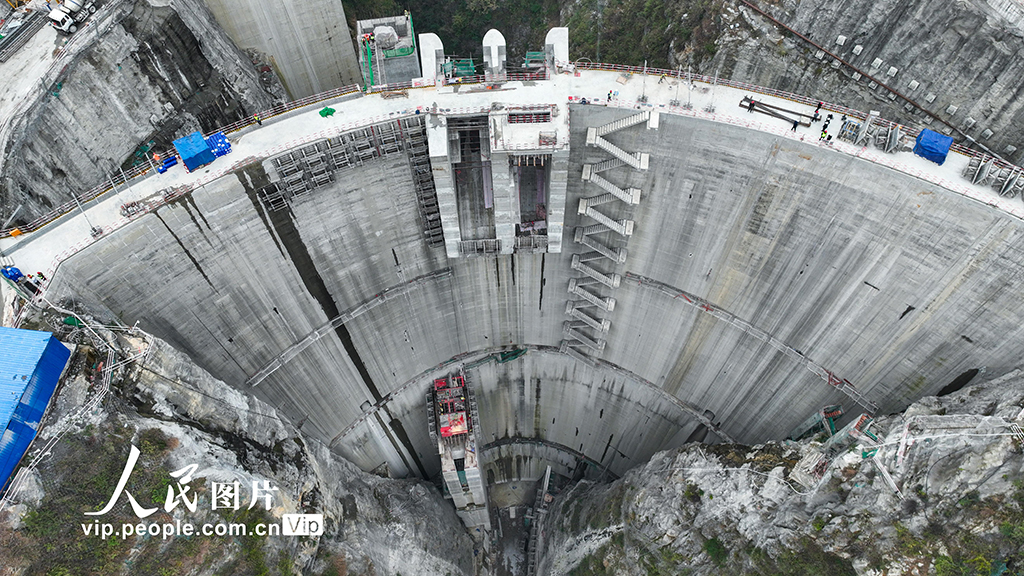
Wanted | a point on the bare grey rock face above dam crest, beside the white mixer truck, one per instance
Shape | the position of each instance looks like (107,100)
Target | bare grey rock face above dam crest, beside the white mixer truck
(163,70)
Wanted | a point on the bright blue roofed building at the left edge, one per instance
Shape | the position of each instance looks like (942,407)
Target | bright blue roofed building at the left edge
(31,365)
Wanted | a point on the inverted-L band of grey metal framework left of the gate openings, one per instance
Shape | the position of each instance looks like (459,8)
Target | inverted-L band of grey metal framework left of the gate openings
(314,167)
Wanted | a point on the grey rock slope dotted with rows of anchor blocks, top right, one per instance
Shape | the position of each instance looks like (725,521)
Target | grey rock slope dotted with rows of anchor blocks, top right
(967,54)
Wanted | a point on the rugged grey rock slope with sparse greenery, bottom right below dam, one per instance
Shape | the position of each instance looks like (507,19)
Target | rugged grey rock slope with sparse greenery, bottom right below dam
(736,510)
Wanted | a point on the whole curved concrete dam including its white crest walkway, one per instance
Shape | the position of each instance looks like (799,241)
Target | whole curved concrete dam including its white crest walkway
(615,278)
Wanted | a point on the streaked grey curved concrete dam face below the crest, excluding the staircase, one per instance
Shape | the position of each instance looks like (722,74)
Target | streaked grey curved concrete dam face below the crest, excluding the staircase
(890,282)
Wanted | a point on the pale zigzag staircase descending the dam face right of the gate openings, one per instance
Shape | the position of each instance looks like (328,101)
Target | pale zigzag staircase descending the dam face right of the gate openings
(600,254)
